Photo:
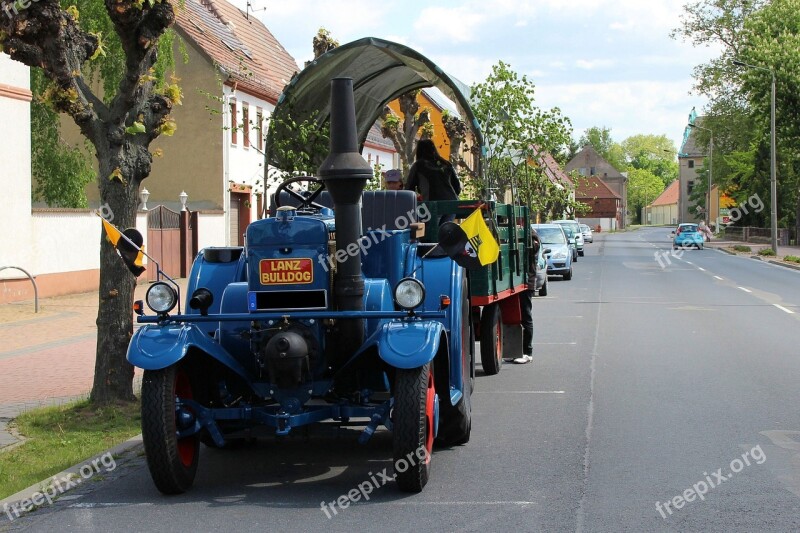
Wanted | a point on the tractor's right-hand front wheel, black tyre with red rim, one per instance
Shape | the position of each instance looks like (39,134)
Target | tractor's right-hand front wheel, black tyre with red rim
(413,418)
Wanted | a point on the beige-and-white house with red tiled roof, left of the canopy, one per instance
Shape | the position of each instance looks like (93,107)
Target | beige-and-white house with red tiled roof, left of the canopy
(231,71)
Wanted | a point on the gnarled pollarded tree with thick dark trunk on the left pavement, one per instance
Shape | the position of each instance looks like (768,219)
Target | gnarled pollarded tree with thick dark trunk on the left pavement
(133,111)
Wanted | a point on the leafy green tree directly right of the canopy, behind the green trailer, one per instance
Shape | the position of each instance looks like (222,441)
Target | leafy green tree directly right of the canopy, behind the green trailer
(515,130)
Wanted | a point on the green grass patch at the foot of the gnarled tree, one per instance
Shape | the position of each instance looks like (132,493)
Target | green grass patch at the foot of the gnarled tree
(60,437)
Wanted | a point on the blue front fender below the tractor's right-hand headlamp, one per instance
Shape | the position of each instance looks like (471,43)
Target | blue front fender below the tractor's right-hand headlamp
(409,344)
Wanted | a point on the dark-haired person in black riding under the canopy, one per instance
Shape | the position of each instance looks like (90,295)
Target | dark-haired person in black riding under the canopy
(433,176)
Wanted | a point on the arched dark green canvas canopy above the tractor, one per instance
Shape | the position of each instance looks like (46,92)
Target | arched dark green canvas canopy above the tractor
(381,71)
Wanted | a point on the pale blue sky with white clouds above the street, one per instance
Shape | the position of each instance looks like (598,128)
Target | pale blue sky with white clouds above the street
(605,63)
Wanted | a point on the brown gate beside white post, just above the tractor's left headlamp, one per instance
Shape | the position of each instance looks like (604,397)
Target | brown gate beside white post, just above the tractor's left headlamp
(164,241)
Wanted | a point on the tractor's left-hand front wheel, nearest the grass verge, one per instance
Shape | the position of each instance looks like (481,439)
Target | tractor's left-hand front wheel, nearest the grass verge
(172,461)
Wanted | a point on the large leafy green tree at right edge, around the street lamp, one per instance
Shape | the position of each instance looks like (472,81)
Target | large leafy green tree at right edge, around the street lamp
(767,35)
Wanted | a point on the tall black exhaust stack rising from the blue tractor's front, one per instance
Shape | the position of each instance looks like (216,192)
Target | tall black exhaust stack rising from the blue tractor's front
(345,174)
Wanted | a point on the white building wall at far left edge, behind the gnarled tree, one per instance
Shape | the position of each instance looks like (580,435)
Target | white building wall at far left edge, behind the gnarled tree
(15,176)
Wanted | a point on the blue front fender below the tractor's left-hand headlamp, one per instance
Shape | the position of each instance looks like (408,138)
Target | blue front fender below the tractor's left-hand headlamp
(154,347)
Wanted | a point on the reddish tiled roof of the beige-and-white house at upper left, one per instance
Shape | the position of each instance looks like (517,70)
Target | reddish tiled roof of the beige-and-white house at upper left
(242,47)
